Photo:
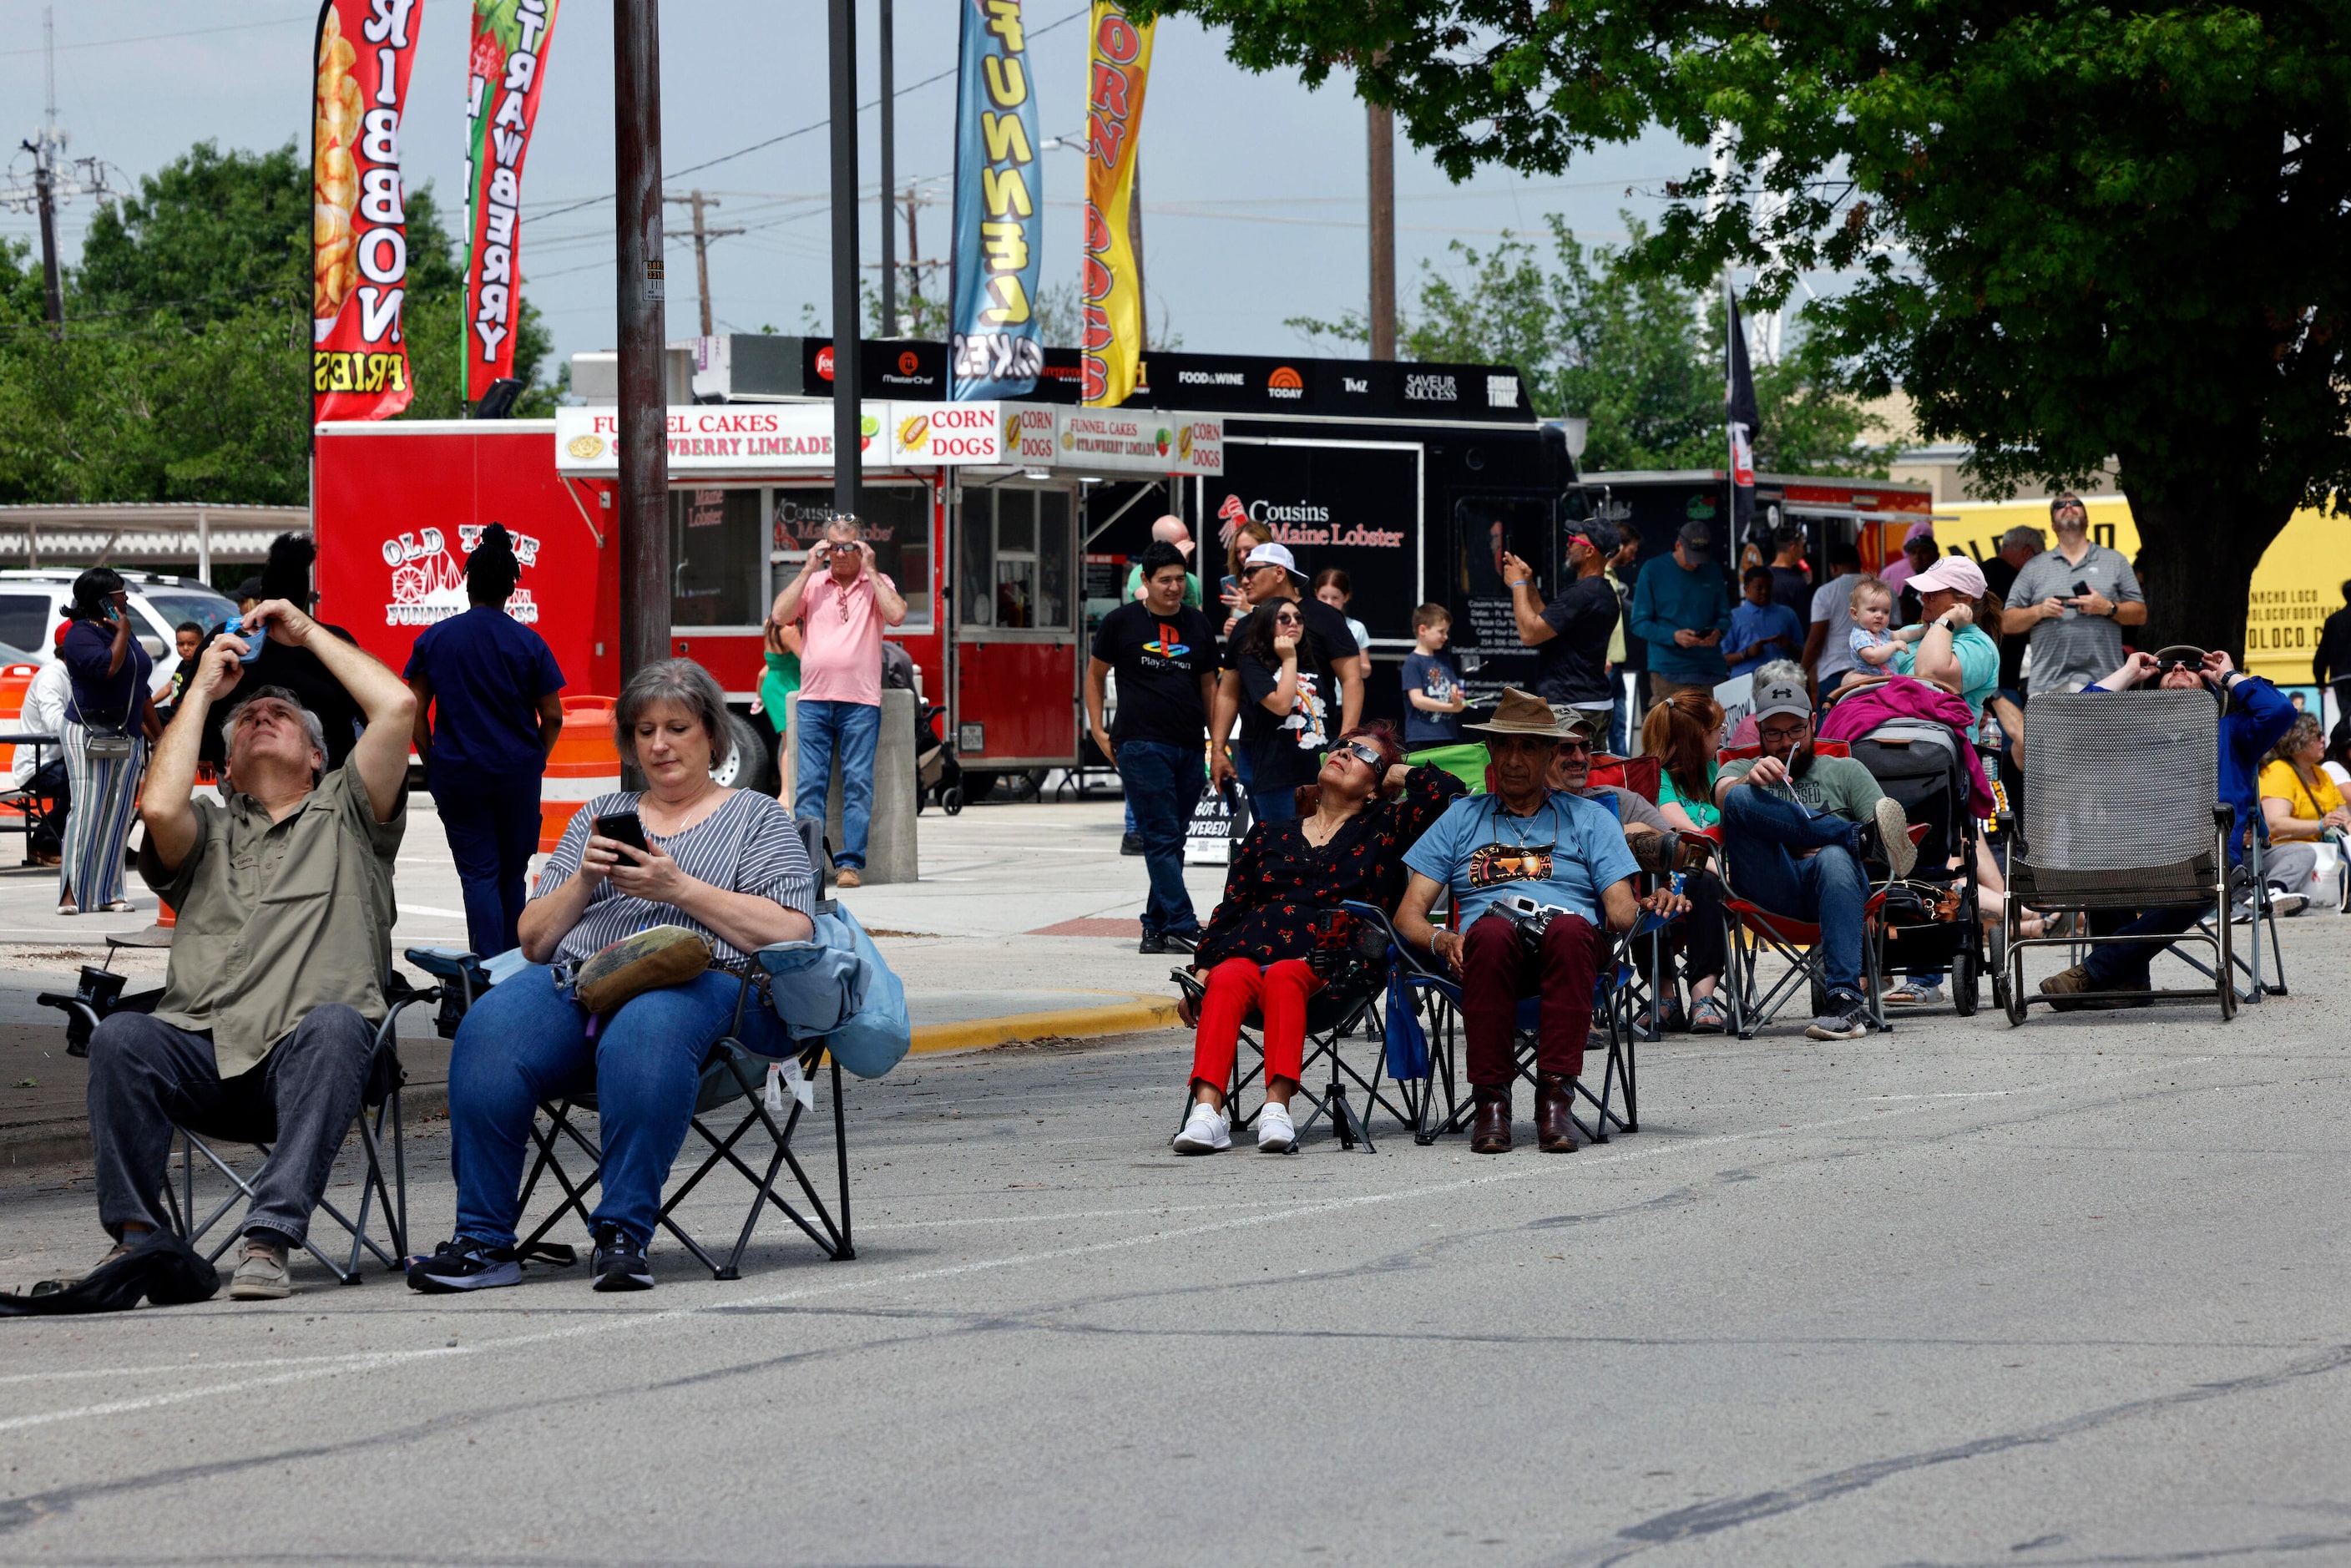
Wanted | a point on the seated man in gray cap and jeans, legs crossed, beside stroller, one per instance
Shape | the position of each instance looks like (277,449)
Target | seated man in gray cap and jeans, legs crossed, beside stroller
(1797,831)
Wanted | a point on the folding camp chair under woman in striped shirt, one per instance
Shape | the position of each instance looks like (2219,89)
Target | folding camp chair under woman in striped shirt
(775,1094)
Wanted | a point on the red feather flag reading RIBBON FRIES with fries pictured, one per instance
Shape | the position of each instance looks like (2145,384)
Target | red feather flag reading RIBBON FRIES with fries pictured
(359,217)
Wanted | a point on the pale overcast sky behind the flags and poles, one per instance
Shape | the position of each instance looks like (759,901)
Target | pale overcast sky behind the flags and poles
(1254,187)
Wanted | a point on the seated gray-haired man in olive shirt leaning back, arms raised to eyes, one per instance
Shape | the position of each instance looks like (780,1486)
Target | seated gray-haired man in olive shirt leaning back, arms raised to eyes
(269,1014)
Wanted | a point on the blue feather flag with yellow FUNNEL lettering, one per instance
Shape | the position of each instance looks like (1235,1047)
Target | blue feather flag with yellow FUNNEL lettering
(996,347)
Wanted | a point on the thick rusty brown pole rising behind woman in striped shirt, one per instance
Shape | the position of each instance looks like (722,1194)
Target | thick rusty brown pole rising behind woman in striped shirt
(645,455)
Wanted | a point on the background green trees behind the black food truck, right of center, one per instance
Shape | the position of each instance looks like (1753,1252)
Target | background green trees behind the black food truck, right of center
(1628,349)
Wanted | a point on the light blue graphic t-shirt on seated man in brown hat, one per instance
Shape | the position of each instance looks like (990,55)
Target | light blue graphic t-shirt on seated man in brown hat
(1567,855)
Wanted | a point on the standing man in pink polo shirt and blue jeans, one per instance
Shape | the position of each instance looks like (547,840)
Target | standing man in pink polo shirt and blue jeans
(843,605)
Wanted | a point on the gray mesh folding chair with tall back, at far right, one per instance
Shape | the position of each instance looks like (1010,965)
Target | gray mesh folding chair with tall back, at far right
(2122,812)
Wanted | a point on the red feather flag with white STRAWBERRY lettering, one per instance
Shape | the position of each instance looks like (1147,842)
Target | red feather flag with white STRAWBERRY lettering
(507,69)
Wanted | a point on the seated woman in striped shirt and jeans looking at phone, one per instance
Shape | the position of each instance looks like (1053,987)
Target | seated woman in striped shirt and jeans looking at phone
(725,864)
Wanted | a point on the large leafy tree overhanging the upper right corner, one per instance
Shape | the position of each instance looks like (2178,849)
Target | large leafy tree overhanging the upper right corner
(2079,232)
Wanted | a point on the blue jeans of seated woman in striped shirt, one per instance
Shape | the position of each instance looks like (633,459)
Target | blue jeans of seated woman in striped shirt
(528,1043)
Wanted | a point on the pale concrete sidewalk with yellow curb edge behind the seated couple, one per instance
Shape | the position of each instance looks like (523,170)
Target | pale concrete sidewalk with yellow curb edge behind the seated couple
(1022,930)
